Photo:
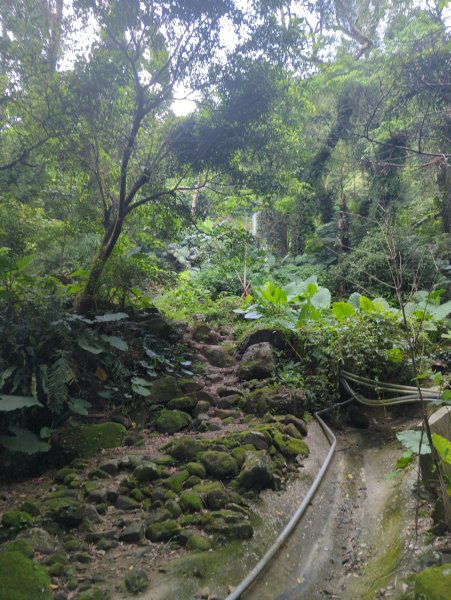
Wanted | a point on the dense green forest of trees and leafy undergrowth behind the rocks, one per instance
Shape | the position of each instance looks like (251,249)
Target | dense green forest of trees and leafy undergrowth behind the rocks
(185,172)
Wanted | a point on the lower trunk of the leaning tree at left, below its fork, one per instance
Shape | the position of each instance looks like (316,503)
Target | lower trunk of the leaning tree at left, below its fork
(85,301)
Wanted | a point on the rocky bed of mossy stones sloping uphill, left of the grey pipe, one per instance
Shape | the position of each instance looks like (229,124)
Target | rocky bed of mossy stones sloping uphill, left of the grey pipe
(110,525)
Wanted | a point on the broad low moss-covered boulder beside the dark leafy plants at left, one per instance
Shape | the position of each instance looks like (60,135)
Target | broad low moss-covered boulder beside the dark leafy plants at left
(89,440)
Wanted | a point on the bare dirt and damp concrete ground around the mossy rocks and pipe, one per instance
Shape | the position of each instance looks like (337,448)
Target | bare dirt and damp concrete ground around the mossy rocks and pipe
(358,539)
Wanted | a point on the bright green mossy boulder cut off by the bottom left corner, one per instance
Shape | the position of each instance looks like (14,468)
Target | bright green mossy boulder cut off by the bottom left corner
(22,579)
